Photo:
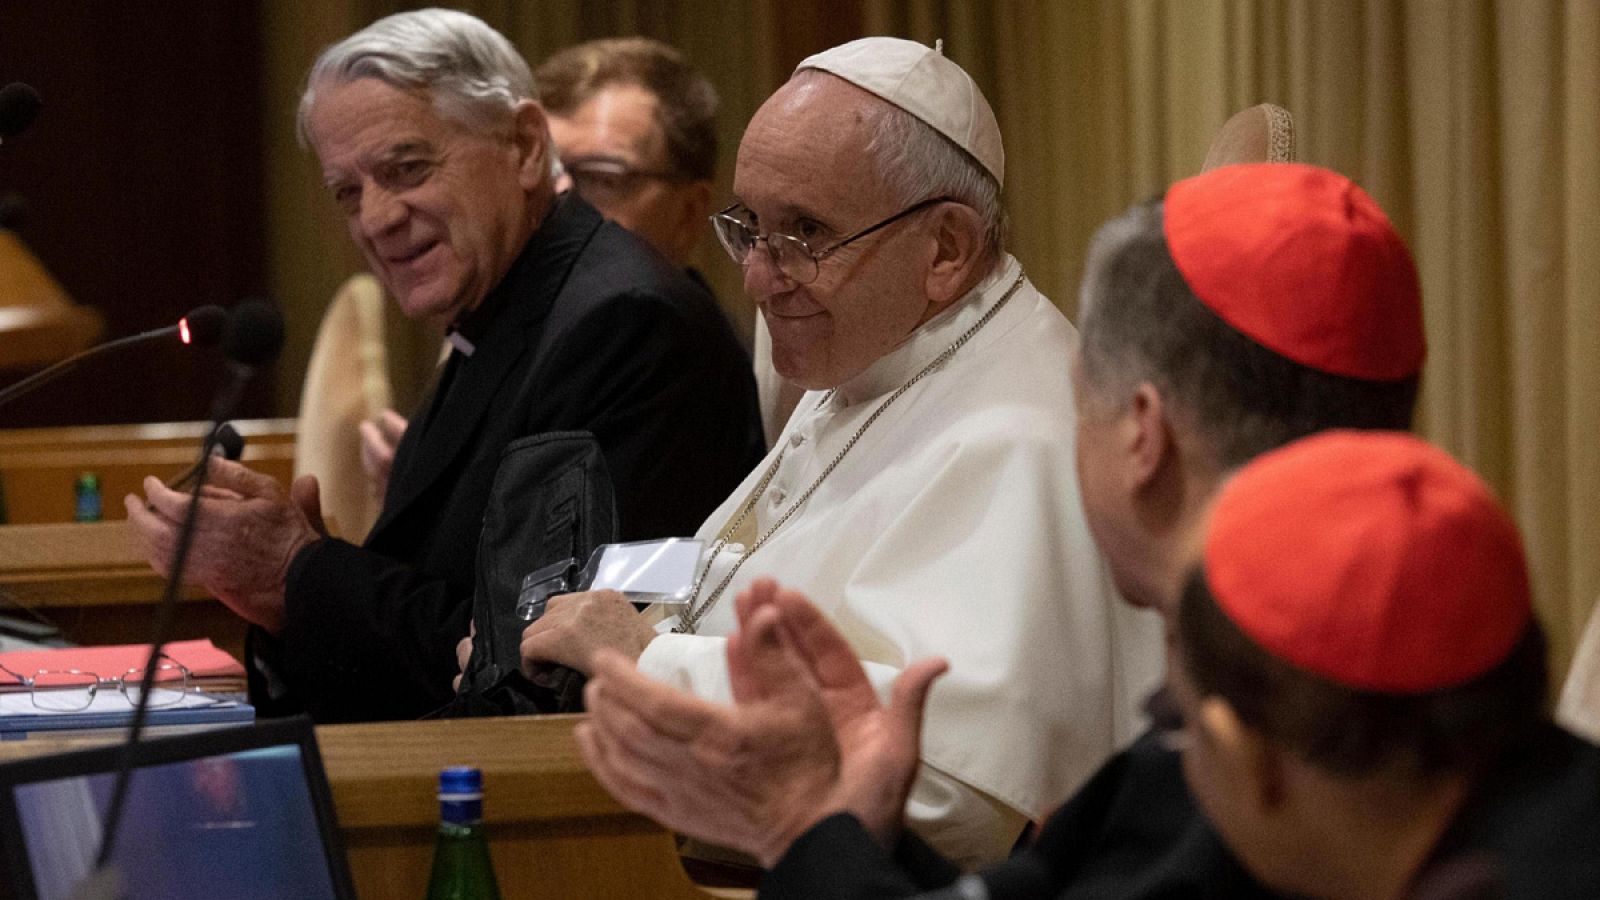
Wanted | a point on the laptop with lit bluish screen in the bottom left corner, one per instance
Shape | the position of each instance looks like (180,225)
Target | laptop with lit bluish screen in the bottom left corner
(233,813)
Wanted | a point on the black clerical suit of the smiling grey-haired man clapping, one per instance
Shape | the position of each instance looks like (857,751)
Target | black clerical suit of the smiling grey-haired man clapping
(590,331)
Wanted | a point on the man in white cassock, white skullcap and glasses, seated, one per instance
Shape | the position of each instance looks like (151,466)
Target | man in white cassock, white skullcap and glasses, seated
(924,494)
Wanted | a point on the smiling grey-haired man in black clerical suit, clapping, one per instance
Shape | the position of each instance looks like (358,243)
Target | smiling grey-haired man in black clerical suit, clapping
(441,161)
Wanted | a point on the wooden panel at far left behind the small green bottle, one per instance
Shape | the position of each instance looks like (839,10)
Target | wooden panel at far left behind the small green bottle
(39,467)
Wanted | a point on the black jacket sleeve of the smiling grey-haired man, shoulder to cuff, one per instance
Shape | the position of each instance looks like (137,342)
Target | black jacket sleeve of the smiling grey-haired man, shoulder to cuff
(372,637)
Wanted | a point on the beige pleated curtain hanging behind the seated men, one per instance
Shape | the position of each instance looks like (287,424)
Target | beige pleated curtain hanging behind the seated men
(1474,123)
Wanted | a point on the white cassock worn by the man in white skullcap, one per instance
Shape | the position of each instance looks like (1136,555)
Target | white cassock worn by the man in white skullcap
(953,529)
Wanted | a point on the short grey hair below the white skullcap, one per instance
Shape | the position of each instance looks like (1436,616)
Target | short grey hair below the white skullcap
(919,163)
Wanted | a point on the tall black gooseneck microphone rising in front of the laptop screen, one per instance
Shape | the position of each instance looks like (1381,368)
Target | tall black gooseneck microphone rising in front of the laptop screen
(254,339)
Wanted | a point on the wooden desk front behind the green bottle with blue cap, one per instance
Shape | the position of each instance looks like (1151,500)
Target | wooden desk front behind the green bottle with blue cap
(554,834)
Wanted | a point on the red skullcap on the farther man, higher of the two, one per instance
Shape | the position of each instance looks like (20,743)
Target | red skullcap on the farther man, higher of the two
(1305,263)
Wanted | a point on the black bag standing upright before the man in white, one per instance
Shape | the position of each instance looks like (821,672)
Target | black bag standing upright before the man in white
(551,504)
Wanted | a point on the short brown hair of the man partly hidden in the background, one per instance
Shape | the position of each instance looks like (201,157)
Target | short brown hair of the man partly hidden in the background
(686,100)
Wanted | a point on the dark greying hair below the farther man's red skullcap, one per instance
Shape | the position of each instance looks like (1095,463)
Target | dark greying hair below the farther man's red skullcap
(1142,323)
